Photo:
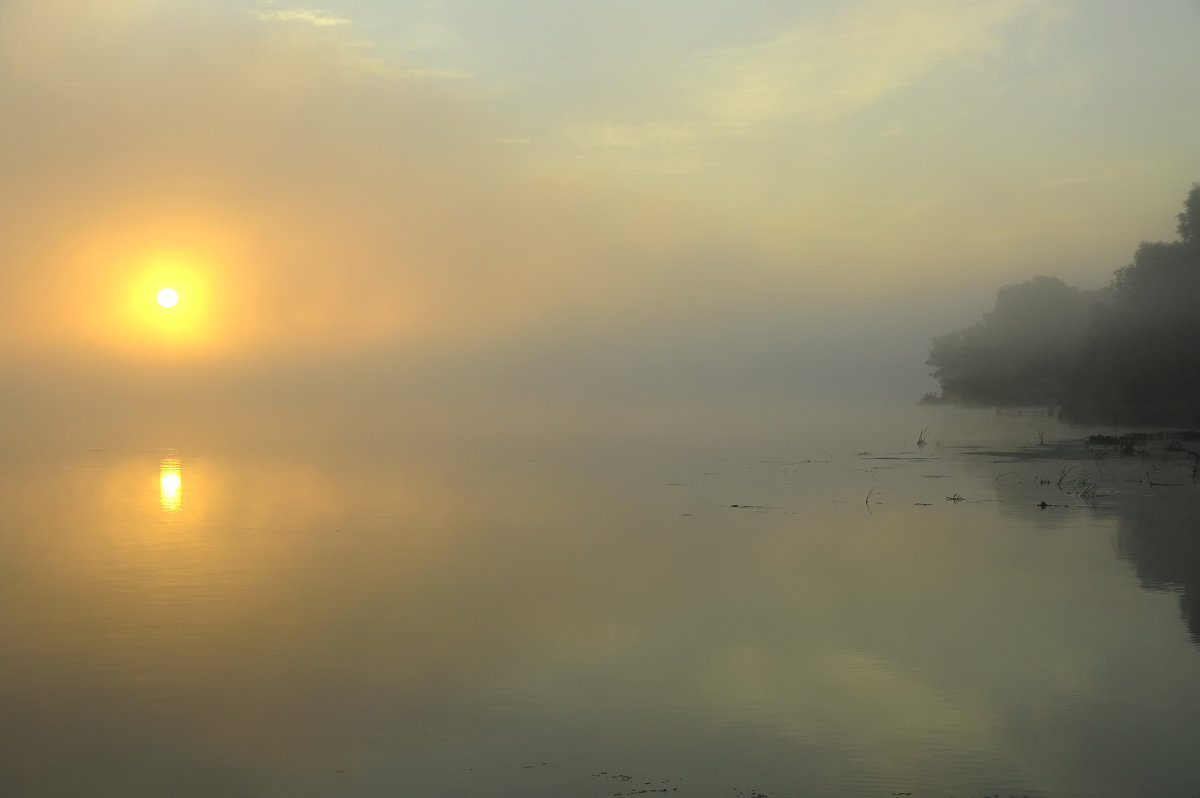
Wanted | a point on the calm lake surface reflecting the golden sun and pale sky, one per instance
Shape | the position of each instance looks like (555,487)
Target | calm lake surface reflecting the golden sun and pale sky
(592,616)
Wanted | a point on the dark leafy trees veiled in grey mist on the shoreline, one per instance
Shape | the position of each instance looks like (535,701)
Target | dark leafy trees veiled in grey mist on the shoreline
(1125,355)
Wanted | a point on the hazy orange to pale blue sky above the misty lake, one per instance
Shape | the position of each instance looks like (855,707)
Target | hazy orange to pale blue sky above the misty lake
(683,183)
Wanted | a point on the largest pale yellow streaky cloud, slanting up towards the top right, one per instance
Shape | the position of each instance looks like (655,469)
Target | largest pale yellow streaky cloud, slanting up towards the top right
(817,74)
